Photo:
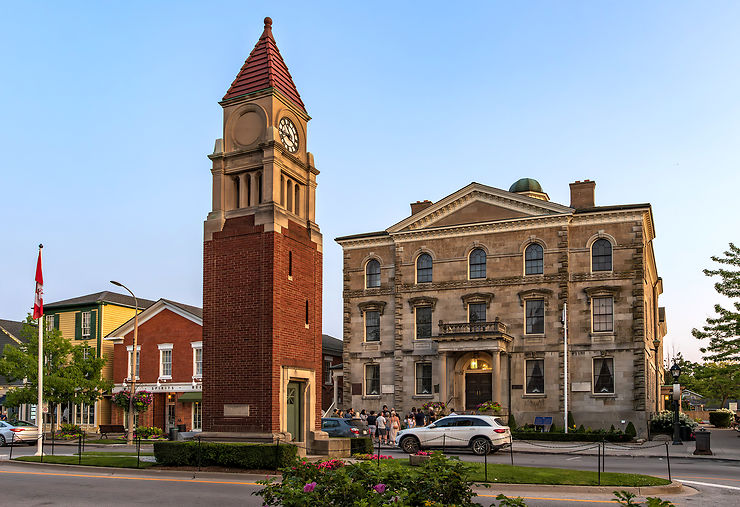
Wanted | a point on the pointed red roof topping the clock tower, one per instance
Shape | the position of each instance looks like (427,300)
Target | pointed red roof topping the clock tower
(264,69)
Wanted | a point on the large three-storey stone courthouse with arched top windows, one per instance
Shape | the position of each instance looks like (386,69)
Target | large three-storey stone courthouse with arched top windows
(462,302)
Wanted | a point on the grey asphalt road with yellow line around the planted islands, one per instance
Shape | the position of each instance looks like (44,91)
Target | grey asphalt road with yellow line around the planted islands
(718,482)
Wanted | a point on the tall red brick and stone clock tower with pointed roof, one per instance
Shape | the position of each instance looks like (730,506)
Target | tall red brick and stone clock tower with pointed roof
(262,262)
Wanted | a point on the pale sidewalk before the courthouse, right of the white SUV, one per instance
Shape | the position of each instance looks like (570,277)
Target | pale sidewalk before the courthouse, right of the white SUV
(725,445)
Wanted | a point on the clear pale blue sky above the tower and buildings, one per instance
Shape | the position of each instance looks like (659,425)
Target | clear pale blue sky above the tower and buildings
(109,110)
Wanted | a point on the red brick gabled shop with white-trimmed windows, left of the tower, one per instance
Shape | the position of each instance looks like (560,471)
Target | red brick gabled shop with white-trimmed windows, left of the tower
(169,365)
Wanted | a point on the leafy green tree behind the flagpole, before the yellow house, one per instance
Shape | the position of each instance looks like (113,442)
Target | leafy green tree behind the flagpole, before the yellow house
(72,373)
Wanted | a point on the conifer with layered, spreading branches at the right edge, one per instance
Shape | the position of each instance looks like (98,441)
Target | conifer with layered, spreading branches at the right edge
(723,331)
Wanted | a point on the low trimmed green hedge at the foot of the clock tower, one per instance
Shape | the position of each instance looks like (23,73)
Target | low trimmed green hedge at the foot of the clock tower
(238,455)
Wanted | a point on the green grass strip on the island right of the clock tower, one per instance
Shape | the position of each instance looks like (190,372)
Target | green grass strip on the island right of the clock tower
(533,475)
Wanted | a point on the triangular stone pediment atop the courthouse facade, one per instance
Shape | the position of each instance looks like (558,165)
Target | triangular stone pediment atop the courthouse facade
(479,203)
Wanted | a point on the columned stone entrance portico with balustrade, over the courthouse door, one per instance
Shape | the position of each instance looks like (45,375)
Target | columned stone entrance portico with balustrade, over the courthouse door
(472,356)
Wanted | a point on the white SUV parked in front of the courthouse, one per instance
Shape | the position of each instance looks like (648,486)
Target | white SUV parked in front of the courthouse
(480,433)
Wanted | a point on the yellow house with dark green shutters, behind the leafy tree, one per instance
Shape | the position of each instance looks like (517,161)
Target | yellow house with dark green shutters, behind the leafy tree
(88,319)
